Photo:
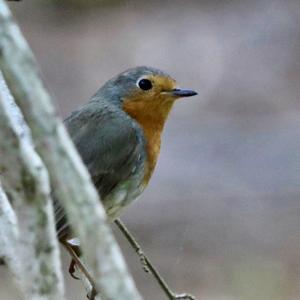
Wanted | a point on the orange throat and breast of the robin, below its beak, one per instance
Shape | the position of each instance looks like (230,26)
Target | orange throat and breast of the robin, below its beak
(151,116)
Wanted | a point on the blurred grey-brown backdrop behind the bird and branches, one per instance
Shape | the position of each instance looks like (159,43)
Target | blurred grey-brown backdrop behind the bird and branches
(220,218)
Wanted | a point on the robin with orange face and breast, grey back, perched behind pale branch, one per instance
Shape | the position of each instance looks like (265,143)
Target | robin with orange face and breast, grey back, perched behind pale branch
(118,135)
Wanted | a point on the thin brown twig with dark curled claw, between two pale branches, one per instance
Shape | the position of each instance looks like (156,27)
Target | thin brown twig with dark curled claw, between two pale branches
(74,251)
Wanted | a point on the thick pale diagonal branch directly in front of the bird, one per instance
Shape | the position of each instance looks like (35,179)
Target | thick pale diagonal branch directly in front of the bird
(67,173)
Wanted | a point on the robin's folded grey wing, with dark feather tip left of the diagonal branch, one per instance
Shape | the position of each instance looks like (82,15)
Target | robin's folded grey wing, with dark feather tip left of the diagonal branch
(110,145)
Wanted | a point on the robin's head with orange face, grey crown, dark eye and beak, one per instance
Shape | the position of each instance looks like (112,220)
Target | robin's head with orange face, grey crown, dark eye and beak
(144,90)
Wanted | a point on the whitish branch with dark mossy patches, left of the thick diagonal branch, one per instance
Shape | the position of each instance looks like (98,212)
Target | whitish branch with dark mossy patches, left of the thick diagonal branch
(33,248)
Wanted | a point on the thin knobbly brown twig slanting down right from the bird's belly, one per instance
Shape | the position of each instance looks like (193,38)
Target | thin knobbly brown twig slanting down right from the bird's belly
(148,266)
